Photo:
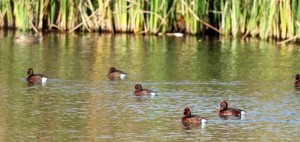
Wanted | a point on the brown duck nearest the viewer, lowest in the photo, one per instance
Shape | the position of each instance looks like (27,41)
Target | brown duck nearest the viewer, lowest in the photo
(188,118)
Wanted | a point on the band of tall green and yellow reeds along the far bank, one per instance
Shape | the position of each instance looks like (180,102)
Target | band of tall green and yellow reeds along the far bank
(273,19)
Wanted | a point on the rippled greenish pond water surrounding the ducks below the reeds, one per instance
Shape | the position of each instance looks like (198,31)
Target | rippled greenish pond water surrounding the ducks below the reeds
(79,102)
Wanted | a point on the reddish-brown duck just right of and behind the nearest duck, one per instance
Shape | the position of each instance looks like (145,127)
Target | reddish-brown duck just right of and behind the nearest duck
(225,111)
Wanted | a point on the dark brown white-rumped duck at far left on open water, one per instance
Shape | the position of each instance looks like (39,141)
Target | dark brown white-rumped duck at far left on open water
(35,78)
